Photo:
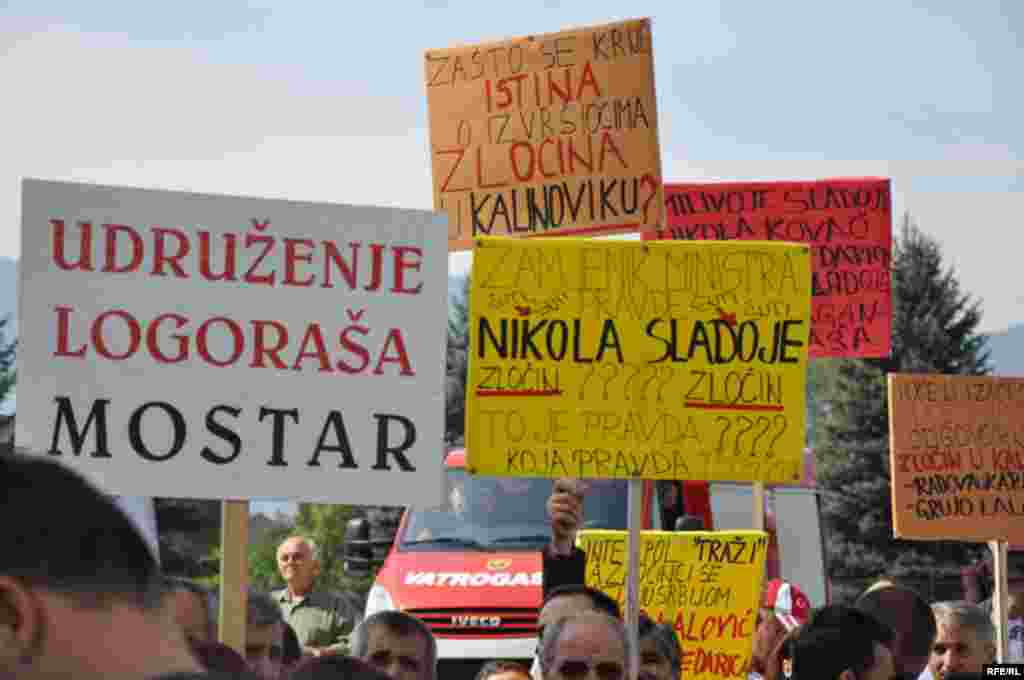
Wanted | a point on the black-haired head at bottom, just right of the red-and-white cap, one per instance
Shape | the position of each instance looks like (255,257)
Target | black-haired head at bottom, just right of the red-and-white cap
(841,644)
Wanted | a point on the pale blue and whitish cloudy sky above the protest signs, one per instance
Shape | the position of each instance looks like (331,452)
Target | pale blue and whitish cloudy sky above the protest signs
(326,102)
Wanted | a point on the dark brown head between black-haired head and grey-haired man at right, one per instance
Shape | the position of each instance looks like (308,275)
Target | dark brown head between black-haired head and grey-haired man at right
(911,619)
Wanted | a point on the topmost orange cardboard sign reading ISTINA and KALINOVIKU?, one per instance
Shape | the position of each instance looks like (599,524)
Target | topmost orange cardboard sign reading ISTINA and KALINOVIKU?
(546,136)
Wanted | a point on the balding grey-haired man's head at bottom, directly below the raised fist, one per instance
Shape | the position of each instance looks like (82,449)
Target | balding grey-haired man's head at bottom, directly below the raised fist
(590,646)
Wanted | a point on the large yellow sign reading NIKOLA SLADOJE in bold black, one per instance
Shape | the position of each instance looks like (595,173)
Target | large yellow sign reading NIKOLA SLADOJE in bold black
(622,360)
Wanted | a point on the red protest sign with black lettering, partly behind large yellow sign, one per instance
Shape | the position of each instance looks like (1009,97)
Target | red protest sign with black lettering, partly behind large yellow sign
(848,225)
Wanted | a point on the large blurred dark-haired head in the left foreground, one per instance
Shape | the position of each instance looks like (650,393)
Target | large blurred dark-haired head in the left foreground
(75,575)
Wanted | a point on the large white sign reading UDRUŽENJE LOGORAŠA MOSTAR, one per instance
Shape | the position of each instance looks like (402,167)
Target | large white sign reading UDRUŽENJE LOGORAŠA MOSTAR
(205,347)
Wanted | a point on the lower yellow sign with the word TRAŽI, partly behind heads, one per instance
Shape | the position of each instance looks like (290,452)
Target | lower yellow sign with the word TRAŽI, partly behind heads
(706,584)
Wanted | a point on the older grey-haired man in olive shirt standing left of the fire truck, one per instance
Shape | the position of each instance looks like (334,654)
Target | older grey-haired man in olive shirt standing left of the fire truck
(321,620)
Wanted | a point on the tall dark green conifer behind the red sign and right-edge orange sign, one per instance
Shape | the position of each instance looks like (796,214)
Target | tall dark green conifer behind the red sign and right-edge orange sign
(934,331)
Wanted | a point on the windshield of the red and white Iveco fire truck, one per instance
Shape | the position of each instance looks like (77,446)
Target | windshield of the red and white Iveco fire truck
(504,514)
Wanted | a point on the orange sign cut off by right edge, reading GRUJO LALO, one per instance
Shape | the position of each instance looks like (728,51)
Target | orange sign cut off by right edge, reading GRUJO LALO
(957,453)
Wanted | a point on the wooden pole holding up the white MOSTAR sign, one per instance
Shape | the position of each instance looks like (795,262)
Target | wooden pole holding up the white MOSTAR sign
(234,574)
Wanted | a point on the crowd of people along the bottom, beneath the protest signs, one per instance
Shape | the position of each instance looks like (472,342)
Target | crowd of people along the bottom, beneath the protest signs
(81,597)
